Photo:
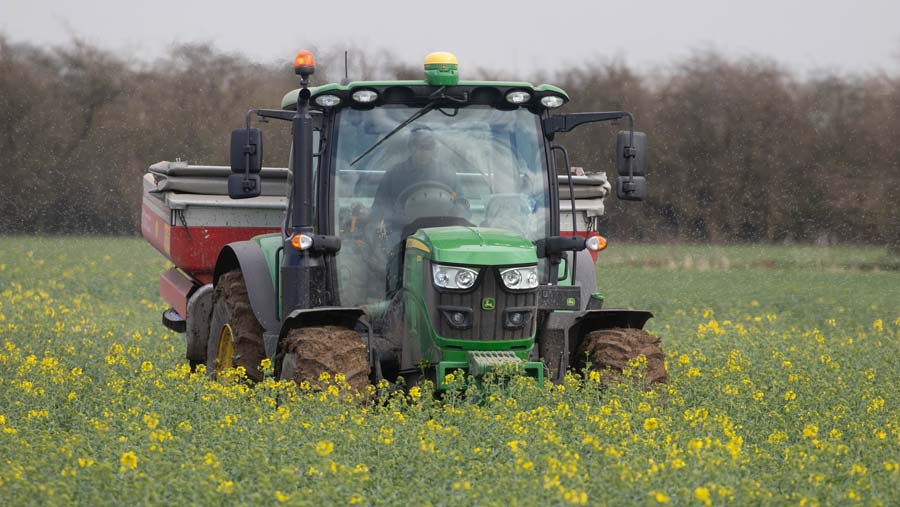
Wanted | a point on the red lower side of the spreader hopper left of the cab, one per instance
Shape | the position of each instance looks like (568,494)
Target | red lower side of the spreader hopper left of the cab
(193,249)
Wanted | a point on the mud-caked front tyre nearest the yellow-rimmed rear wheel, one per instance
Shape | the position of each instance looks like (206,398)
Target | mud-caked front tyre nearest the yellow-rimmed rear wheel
(311,351)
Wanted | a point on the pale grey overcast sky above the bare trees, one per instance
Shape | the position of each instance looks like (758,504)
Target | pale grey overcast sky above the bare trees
(519,37)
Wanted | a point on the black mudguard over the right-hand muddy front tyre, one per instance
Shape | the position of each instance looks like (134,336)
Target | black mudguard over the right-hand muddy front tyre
(562,333)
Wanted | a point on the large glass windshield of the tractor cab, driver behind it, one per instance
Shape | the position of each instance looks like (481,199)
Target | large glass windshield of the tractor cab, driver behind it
(473,165)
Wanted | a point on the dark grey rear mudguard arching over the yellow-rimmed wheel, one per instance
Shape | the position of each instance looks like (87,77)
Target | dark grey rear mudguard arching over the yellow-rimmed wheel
(250,260)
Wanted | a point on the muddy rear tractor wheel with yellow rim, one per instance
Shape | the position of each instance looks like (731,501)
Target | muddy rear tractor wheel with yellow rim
(235,335)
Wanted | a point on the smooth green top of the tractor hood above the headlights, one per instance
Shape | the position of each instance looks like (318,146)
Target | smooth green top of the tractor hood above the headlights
(473,246)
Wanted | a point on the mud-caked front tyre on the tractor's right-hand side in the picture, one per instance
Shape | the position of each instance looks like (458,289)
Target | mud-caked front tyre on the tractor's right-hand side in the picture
(613,349)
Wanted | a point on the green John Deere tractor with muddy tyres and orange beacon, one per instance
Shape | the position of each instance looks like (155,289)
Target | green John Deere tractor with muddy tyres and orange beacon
(421,236)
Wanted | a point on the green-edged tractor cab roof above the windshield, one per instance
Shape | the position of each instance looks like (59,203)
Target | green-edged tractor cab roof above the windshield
(403,91)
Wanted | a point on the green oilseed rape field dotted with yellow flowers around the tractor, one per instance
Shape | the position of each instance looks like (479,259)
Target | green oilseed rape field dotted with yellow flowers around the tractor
(782,390)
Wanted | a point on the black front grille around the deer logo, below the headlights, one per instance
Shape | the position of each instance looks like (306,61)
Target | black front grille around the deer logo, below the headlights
(486,324)
